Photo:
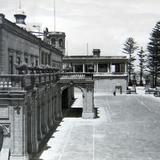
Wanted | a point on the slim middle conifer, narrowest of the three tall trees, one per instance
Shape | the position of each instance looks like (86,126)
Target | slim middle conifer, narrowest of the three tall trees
(142,66)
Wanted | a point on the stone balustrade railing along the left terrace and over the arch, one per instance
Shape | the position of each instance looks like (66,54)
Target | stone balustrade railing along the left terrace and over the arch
(27,81)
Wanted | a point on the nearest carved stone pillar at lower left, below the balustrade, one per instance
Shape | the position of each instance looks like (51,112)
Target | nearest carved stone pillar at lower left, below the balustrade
(19,129)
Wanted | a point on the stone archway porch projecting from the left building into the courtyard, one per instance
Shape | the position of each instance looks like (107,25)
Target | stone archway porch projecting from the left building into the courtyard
(87,88)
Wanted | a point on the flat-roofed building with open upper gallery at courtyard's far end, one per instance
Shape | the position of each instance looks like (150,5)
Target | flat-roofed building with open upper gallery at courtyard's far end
(109,72)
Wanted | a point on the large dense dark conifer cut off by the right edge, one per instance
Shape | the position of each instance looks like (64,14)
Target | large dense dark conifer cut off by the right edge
(154,54)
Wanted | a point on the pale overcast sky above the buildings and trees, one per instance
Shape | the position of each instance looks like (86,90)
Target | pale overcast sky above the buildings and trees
(103,24)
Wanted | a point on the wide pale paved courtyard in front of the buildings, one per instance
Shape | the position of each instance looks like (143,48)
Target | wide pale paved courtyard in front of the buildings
(128,128)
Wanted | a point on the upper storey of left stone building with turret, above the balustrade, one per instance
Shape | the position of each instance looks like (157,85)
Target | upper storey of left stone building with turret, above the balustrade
(19,47)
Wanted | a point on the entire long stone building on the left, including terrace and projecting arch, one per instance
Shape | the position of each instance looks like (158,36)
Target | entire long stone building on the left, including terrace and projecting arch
(33,92)
